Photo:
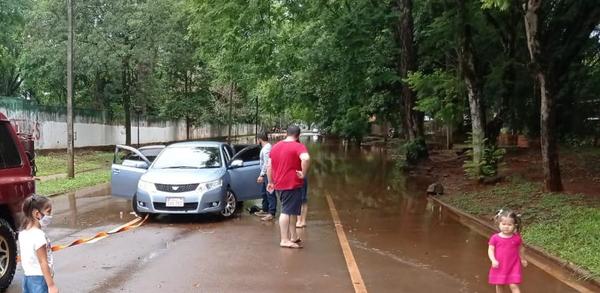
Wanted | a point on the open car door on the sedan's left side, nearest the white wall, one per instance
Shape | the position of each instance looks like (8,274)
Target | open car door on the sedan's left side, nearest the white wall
(128,166)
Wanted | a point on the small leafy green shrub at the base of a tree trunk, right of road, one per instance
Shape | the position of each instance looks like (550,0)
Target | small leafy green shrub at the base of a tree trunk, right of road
(491,159)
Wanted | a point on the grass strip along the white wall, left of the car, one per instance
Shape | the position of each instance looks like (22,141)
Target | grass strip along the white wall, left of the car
(56,163)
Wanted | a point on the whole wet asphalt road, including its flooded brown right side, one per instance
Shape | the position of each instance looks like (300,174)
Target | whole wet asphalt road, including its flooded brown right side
(401,241)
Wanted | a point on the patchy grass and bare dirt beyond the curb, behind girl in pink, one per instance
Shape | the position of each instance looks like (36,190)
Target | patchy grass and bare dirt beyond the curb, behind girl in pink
(564,225)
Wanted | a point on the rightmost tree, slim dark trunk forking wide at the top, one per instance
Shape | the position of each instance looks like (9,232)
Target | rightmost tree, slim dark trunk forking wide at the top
(556,34)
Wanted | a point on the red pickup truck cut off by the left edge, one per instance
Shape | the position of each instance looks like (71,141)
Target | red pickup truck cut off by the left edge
(16,183)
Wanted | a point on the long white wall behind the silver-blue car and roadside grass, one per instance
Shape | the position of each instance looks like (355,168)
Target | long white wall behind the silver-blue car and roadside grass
(50,130)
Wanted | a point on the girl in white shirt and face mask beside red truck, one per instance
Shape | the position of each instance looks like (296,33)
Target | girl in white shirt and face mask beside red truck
(35,248)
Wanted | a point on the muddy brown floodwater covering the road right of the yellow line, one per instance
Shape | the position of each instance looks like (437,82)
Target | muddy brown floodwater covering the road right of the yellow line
(403,242)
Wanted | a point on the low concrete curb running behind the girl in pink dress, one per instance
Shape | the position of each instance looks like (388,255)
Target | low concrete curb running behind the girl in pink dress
(570,274)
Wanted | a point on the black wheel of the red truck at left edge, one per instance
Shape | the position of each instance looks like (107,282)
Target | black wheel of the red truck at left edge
(8,254)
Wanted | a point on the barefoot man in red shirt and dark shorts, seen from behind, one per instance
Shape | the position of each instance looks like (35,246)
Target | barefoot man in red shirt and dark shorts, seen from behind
(286,172)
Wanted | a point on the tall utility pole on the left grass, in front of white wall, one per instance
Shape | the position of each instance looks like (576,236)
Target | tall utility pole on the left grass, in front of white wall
(70,136)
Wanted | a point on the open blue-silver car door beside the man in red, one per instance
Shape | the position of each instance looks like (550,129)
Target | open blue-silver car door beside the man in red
(244,169)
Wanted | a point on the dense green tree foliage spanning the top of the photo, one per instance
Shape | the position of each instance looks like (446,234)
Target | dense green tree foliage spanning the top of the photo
(301,60)
